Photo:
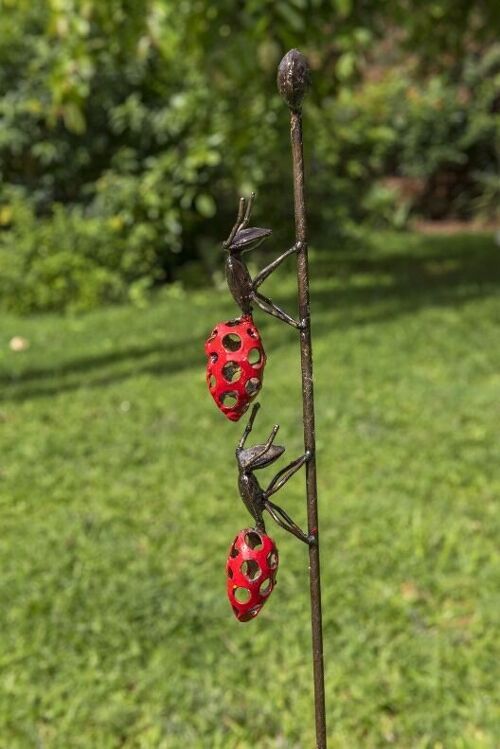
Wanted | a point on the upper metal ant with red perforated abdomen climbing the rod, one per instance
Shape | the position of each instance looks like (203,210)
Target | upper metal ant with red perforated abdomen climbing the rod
(236,356)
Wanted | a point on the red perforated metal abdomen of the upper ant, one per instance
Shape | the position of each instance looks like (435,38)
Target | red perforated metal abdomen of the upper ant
(235,365)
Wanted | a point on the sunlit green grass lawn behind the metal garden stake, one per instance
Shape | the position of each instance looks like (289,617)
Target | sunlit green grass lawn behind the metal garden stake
(118,505)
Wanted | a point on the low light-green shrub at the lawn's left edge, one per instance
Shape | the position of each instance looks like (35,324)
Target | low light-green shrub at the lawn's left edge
(69,261)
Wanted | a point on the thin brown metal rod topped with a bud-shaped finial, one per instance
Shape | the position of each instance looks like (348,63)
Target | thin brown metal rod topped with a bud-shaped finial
(293,78)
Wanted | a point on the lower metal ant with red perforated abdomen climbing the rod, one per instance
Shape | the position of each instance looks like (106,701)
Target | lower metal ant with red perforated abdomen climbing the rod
(252,564)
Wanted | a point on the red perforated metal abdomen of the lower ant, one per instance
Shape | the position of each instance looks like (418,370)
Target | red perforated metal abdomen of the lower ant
(251,569)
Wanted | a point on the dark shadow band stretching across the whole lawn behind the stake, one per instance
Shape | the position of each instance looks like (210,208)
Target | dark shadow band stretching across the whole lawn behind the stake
(356,288)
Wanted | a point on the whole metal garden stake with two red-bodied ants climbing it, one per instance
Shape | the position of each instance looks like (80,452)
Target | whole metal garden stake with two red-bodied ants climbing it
(235,367)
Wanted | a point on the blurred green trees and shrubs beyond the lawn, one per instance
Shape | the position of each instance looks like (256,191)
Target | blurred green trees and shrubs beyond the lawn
(128,128)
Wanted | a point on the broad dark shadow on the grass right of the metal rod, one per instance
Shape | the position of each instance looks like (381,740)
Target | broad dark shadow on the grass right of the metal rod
(447,271)
